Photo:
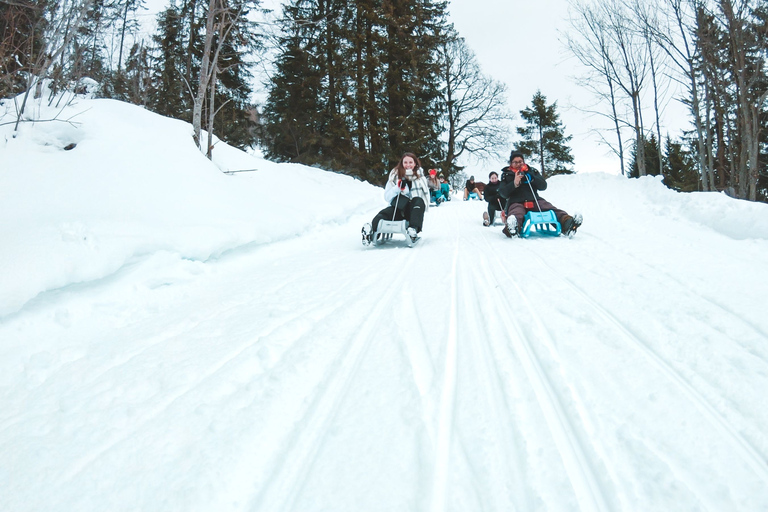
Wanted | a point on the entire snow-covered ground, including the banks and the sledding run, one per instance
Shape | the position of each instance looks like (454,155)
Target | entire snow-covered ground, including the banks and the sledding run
(173,338)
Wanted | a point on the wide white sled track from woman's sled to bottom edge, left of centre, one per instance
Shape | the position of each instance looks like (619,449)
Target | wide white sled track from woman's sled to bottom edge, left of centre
(303,443)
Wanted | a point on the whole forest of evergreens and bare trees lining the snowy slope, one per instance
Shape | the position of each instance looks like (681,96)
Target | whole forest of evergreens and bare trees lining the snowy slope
(351,85)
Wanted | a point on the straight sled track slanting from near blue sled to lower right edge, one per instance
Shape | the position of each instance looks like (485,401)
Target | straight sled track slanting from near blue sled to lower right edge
(747,451)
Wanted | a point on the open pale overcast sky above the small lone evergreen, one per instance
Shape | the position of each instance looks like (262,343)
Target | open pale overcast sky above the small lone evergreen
(518,43)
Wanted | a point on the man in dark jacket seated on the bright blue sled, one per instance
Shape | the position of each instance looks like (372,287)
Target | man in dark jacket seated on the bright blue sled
(519,186)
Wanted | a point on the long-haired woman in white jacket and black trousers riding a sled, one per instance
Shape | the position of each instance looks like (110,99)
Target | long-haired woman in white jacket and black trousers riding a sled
(407,193)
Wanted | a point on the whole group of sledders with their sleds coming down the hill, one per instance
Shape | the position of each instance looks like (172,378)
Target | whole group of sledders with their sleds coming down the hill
(514,194)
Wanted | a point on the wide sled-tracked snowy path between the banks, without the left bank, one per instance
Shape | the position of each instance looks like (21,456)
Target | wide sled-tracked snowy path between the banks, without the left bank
(469,373)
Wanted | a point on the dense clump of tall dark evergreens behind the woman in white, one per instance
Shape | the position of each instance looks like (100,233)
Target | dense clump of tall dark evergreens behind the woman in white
(356,85)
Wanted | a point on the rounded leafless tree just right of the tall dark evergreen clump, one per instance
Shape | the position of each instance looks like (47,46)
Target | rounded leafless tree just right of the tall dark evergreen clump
(476,114)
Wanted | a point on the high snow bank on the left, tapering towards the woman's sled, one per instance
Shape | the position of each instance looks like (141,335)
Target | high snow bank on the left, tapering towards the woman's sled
(135,184)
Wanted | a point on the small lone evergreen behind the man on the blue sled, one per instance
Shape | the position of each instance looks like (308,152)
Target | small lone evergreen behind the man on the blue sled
(544,137)
